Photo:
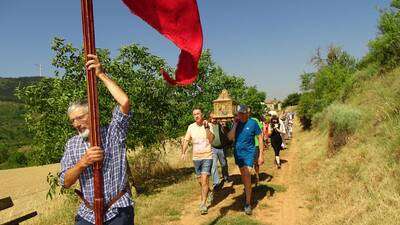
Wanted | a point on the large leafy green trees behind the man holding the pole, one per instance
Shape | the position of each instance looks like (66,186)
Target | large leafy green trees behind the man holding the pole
(160,112)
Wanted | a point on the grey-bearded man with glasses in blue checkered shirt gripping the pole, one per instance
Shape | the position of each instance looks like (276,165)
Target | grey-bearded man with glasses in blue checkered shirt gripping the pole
(79,156)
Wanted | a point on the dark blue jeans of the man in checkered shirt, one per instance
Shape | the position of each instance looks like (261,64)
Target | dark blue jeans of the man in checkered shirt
(125,217)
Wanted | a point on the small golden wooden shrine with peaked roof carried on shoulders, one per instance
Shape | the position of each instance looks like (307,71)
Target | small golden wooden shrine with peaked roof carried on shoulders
(224,106)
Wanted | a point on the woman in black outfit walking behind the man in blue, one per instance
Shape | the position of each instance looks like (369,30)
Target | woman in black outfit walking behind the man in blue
(276,129)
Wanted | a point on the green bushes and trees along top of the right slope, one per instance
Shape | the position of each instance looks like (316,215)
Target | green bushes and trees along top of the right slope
(335,75)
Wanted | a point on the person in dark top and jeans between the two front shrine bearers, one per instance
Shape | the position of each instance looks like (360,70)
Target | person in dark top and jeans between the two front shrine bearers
(218,146)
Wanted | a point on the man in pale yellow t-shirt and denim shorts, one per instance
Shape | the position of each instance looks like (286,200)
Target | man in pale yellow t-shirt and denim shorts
(201,136)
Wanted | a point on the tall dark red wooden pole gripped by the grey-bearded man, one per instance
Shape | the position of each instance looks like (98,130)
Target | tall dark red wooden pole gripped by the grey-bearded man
(94,137)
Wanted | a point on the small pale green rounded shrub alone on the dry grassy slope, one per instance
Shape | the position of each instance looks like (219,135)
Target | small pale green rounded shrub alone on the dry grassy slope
(342,121)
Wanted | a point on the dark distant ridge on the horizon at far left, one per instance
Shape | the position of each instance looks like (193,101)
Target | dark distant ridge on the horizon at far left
(8,85)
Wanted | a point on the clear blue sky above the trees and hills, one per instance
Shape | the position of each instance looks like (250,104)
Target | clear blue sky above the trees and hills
(269,43)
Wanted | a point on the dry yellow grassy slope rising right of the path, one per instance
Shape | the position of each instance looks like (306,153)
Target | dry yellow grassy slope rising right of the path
(360,182)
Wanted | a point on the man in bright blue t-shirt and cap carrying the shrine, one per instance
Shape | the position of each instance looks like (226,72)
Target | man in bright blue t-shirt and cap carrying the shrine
(243,133)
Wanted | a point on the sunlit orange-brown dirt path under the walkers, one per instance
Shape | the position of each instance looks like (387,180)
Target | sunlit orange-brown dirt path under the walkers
(278,199)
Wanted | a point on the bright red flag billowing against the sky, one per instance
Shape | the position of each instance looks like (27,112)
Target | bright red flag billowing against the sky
(179,21)
